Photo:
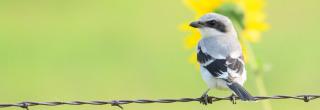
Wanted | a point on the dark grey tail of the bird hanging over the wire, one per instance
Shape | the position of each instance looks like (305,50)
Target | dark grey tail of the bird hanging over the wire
(242,93)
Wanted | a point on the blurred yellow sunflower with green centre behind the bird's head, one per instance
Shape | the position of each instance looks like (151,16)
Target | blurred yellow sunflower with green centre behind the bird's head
(247,15)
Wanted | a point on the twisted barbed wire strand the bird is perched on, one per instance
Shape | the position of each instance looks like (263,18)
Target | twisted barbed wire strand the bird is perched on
(211,99)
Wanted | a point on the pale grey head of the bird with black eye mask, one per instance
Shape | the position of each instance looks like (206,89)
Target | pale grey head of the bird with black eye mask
(213,24)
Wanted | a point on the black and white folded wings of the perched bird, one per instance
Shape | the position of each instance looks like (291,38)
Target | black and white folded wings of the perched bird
(227,68)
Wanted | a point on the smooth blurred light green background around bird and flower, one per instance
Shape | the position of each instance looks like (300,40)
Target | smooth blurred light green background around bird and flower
(65,50)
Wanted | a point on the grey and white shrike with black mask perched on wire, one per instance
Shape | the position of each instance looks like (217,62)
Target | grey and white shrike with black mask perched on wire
(220,56)
